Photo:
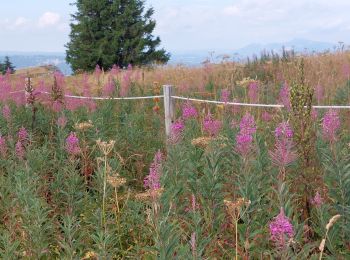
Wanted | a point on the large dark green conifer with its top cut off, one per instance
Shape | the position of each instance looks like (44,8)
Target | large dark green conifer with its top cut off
(108,32)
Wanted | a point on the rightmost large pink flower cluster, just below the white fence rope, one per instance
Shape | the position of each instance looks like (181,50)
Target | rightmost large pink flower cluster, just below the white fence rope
(330,125)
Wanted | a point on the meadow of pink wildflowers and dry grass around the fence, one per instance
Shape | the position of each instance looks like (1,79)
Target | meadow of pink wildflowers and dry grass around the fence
(87,179)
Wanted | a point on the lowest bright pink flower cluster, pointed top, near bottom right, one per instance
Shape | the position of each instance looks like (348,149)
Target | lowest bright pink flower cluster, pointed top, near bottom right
(281,230)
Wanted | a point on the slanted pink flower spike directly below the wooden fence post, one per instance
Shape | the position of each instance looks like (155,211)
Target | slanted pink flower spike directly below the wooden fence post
(152,180)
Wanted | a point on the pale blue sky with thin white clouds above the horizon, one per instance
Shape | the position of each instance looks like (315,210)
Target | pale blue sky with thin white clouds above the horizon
(185,25)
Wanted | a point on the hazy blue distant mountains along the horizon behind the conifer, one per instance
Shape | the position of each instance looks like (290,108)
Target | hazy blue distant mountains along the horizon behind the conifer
(189,58)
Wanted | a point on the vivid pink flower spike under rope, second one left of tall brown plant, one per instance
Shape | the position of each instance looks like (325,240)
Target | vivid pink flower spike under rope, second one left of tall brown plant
(244,138)
